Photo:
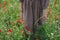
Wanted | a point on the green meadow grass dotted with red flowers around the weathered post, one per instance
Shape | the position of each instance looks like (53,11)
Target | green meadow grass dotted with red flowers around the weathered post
(11,12)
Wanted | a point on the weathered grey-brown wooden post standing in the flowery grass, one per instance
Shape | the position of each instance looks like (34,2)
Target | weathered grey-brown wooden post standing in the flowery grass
(32,10)
